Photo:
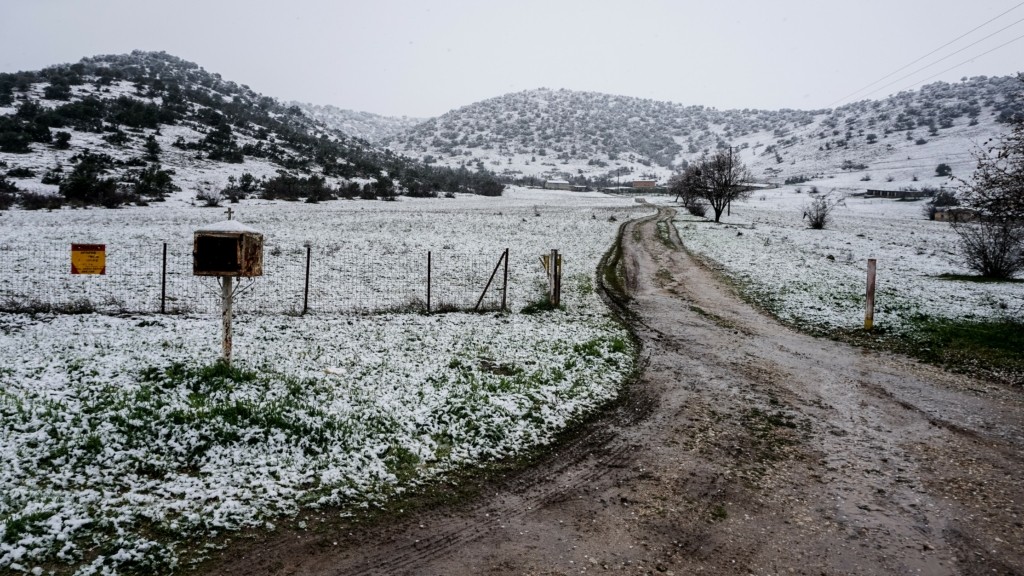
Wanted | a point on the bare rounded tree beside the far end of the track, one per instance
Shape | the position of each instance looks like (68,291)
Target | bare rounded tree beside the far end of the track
(718,180)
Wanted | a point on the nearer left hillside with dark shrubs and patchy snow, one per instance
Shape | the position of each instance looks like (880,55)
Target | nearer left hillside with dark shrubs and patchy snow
(144,128)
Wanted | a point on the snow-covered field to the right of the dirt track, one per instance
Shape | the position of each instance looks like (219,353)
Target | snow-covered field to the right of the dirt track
(818,279)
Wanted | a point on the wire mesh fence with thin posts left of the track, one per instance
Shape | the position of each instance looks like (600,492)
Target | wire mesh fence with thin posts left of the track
(158,277)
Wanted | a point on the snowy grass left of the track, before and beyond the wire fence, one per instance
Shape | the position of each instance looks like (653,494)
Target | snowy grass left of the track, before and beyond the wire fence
(123,444)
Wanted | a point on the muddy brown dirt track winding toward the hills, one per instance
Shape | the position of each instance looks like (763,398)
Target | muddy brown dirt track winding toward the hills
(744,448)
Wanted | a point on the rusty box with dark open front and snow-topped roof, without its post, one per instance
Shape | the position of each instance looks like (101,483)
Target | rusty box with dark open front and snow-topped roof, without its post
(228,249)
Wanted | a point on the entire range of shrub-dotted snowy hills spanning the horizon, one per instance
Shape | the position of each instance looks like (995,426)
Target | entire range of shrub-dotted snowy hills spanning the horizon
(148,127)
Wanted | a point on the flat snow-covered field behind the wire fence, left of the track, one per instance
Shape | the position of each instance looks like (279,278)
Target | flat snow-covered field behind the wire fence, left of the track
(365,256)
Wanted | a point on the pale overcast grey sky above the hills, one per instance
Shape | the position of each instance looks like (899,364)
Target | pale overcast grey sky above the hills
(425,58)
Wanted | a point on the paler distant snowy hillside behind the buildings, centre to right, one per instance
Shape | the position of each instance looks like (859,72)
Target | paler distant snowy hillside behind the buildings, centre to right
(569,135)
